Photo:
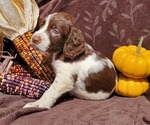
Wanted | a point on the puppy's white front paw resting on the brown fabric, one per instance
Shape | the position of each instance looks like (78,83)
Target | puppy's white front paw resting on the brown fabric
(38,104)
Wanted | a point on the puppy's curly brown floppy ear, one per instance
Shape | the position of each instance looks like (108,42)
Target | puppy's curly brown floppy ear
(75,43)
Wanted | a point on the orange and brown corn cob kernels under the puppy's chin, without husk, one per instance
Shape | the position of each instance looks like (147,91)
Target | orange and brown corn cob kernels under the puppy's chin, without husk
(34,59)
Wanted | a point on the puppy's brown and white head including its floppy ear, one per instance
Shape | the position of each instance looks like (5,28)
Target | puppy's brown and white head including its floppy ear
(58,33)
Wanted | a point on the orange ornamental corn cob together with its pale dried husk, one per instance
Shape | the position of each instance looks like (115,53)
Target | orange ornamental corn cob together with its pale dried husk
(18,19)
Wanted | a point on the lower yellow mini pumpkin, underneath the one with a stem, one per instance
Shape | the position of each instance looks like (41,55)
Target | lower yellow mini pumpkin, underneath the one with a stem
(131,87)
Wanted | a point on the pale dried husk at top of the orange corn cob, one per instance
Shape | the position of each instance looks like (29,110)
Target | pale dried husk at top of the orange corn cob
(18,17)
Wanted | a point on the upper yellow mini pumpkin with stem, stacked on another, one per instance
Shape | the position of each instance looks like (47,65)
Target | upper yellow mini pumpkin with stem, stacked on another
(133,61)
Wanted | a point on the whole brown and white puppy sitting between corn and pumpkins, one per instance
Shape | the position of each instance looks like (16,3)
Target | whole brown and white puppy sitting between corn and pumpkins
(79,69)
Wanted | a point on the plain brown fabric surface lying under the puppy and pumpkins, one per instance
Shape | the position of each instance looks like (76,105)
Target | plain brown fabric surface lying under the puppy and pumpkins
(113,111)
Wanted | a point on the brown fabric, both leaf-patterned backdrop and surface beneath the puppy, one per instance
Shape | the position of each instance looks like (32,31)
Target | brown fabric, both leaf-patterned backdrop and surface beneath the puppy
(106,24)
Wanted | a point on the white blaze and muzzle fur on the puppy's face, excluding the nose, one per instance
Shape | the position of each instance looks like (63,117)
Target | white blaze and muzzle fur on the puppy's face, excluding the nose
(42,32)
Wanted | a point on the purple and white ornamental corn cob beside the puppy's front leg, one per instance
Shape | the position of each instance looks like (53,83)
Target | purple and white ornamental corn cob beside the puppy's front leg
(22,84)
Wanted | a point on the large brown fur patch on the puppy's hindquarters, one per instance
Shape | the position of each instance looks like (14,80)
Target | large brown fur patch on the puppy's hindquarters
(103,80)
